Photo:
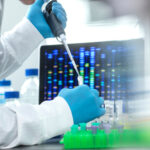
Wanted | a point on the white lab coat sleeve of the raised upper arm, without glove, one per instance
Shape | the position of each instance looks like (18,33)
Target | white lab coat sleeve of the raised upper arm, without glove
(17,45)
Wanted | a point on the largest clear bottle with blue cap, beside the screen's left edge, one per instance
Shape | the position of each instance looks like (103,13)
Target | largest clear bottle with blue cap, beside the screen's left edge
(30,88)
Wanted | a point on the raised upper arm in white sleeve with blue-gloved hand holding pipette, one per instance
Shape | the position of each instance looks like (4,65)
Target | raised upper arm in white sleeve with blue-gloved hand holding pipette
(19,43)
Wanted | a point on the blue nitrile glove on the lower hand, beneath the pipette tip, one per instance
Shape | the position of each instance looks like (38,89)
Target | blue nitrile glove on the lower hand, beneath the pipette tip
(85,103)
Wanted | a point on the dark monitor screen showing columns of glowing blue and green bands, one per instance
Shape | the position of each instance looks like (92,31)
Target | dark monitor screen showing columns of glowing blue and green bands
(110,67)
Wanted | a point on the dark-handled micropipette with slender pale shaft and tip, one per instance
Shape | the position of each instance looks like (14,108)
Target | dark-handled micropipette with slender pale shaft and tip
(59,33)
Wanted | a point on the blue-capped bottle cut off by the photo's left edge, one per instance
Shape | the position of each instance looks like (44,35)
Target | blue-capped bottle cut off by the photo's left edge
(5,85)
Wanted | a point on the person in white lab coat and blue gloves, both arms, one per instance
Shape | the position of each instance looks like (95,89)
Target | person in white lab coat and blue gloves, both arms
(26,124)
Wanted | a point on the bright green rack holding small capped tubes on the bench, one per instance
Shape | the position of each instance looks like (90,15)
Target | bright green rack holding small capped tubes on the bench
(96,138)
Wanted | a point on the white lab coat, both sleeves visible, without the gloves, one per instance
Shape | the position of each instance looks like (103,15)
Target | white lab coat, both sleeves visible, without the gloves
(26,124)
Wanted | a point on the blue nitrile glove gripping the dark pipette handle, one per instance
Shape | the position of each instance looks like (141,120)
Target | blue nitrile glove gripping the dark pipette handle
(36,17)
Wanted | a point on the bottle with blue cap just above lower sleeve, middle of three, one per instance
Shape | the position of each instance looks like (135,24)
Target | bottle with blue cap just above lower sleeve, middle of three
(12,97)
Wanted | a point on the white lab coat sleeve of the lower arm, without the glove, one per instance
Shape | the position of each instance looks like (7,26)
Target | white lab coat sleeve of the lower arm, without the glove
(26,124)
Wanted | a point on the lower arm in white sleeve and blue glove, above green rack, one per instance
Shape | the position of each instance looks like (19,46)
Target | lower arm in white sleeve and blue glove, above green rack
(26,124)
